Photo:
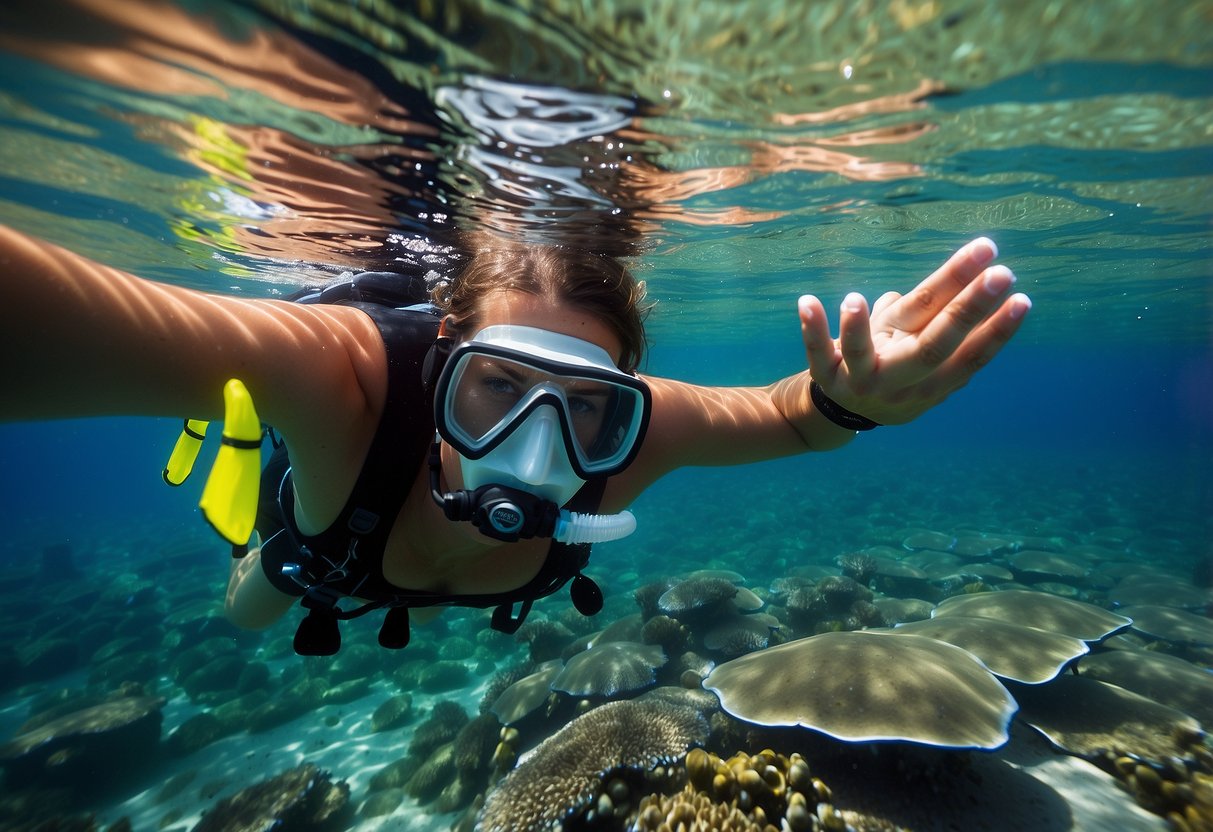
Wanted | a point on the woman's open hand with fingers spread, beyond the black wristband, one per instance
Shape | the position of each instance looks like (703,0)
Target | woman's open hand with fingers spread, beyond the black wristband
(913,351)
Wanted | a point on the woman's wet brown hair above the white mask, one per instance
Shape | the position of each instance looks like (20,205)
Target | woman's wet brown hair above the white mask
(591,282)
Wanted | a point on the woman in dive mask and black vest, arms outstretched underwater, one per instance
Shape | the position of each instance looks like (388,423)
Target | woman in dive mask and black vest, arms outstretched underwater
(468,457)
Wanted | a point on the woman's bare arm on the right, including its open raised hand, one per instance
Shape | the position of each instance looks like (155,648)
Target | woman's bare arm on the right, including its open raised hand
(890,366)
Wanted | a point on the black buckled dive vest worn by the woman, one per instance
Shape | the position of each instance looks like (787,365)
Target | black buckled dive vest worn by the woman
(346,560)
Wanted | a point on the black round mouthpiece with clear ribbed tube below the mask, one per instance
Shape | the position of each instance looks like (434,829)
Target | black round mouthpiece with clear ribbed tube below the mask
(510,515)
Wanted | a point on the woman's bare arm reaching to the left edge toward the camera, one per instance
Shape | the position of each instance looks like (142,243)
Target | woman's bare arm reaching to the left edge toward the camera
(79,339)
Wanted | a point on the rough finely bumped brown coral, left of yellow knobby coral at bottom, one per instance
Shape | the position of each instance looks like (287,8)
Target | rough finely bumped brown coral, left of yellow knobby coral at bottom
(565,772)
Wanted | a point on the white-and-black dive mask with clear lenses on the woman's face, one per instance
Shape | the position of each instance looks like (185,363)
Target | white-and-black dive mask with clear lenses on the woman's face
(539,412)
